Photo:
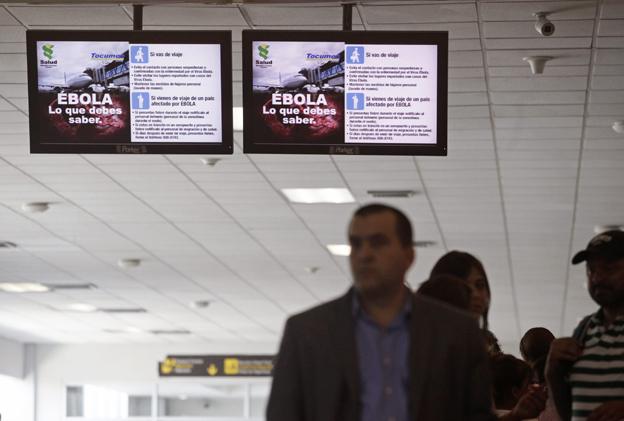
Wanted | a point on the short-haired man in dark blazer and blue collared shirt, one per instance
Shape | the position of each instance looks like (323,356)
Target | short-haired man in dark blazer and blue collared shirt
(380,353)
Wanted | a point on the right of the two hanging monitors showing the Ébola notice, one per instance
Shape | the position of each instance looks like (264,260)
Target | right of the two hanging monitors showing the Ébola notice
(345,92)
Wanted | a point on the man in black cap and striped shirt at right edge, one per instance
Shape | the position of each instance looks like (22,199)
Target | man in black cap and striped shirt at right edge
(585,373)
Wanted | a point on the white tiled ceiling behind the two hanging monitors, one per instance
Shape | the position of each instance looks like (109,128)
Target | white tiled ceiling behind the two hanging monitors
(533,167)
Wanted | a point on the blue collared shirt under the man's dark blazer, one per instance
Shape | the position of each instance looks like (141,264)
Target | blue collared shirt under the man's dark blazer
(382,361)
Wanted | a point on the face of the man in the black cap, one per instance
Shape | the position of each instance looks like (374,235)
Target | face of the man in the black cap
(606,281)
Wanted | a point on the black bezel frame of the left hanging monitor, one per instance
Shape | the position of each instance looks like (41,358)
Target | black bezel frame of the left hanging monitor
(222,38)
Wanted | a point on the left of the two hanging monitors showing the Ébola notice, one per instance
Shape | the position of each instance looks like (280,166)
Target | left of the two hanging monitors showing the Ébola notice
(145,92)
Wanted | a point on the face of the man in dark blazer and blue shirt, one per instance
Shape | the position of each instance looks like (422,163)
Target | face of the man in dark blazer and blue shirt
(378,259)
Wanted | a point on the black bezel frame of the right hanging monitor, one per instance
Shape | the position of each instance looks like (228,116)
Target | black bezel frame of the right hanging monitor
(439,38)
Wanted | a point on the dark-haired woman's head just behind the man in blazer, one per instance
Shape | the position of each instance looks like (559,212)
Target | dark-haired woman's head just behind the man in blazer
(468,268)
